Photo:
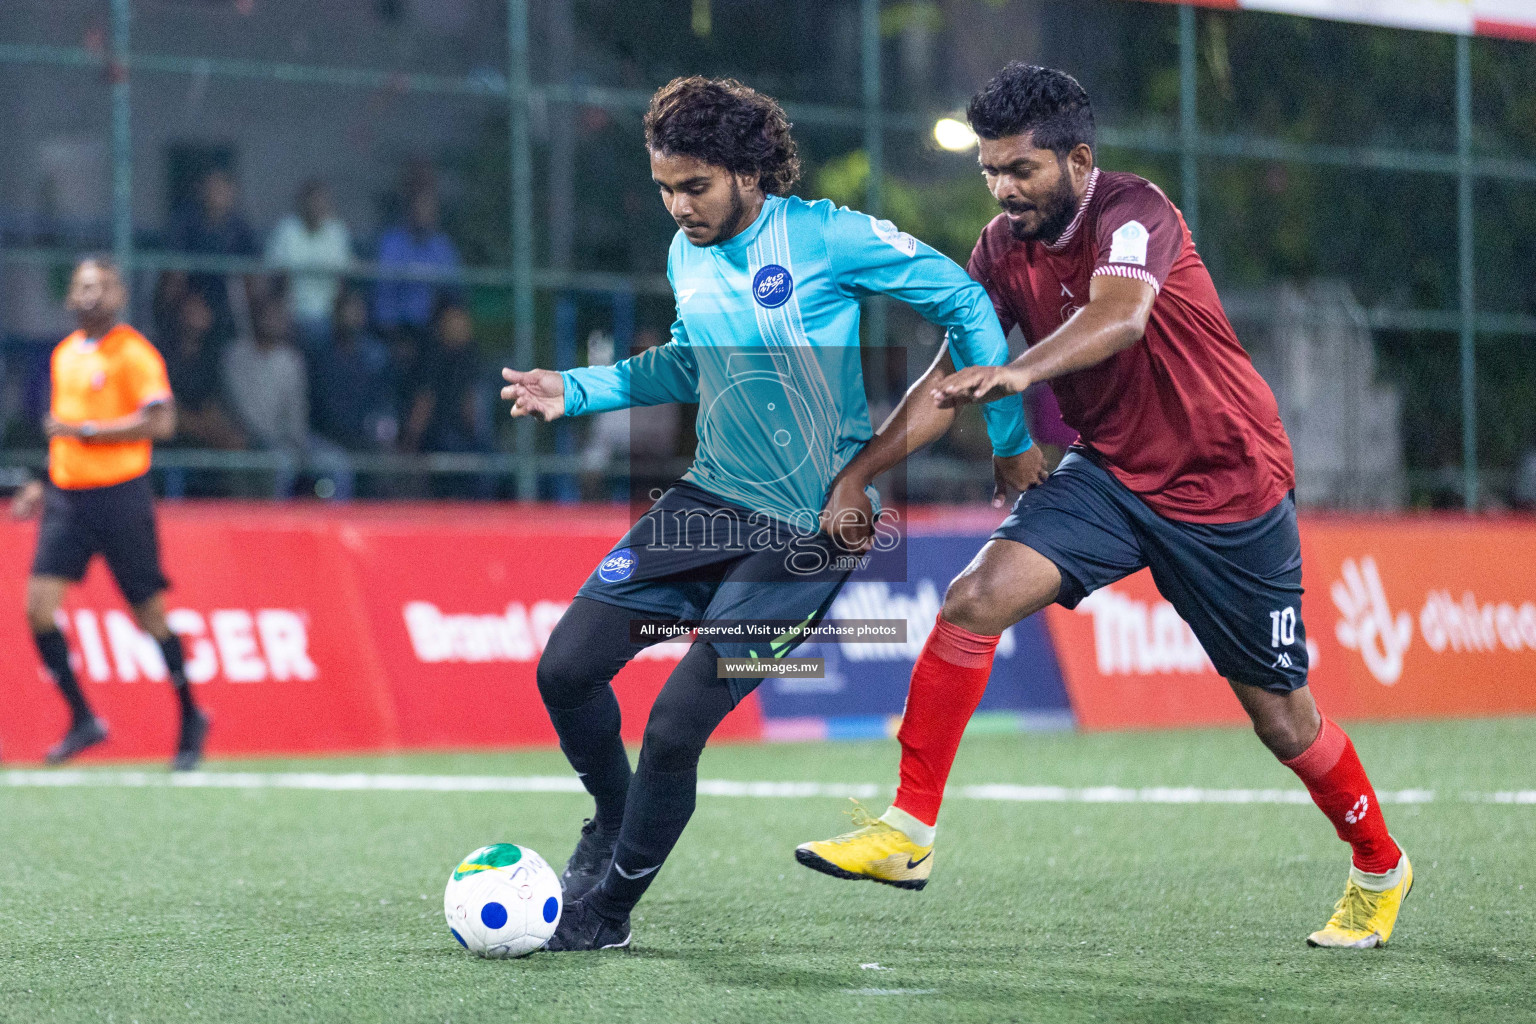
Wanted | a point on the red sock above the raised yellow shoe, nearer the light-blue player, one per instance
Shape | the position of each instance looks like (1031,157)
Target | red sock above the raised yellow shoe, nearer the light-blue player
(948,682)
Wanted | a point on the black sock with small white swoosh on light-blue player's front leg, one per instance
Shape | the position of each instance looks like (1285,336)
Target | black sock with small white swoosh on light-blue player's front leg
(655,818)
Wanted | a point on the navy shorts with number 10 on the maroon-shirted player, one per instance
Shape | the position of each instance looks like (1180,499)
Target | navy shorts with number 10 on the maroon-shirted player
(1237,586)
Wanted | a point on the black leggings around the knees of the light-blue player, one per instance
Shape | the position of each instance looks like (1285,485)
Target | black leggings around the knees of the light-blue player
(588,650)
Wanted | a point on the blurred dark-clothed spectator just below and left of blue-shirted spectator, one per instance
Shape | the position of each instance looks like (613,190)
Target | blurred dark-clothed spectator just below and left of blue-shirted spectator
(353,382)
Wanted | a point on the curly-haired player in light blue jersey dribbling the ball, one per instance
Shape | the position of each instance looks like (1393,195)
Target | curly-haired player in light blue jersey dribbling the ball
(778,507)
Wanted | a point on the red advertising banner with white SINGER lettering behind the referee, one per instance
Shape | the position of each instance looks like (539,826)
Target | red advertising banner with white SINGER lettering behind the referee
(329,630)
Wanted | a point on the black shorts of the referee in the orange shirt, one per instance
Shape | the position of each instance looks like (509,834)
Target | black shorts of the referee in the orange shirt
(118,523)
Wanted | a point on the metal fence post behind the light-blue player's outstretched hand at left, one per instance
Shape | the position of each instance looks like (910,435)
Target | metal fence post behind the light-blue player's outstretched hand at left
(521,202)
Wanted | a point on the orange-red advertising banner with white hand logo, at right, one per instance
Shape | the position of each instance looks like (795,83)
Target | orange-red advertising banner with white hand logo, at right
(1405,618)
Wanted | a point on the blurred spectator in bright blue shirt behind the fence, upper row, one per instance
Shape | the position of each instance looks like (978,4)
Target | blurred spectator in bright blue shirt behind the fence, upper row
(403,309)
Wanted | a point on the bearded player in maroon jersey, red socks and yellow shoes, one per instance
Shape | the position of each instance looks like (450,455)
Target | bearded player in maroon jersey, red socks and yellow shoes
(1182,467)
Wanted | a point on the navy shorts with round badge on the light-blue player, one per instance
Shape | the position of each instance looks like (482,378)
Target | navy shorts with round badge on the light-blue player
(698,557)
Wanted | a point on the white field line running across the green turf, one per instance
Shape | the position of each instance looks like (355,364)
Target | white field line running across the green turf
(365,782)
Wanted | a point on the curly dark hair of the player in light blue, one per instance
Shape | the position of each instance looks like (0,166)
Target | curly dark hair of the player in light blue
(729,125)
